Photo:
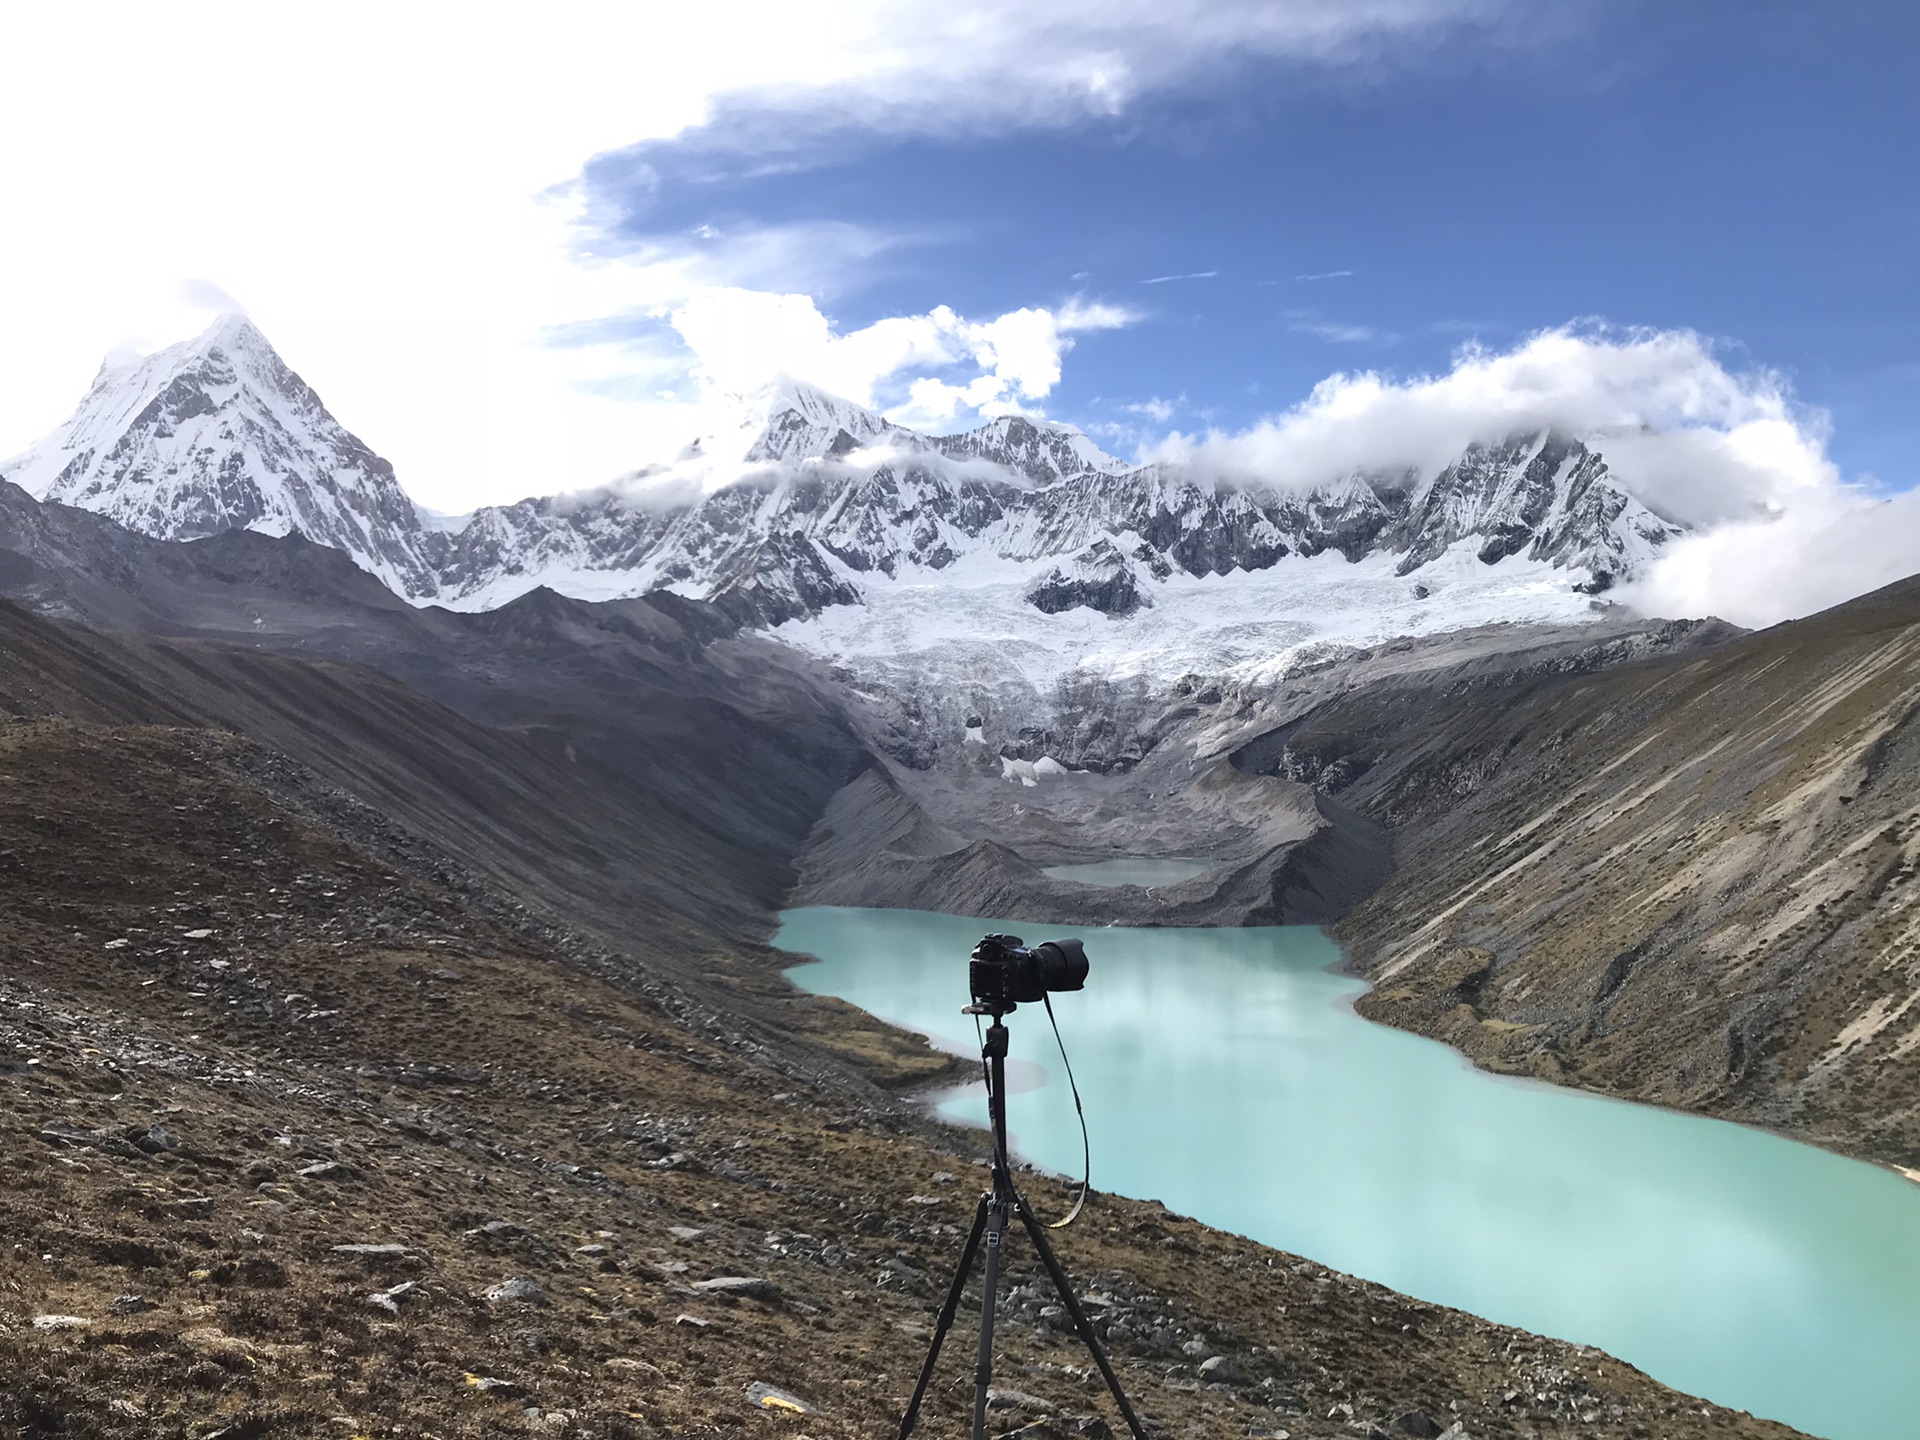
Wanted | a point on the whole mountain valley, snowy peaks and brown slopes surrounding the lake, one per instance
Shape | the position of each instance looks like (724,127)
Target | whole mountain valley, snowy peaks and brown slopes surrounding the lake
(285,752)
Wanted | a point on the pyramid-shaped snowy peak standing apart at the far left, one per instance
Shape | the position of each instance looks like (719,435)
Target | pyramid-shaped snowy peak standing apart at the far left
(220,435)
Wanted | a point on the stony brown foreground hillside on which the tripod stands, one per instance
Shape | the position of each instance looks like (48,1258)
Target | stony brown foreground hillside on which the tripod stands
(310,1134)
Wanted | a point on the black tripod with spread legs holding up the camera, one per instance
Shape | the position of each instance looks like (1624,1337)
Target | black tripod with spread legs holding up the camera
(990,1222)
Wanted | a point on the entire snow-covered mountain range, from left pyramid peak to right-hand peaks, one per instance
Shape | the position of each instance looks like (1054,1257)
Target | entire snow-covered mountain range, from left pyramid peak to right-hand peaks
(798,502)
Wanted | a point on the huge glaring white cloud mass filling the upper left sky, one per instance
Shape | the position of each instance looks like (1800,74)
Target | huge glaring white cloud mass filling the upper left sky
(391,187)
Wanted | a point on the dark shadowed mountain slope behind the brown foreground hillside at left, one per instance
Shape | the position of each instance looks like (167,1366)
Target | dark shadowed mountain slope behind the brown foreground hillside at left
(665,811)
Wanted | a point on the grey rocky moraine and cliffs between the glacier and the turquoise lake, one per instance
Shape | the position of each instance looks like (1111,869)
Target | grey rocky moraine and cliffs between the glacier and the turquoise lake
(961,809)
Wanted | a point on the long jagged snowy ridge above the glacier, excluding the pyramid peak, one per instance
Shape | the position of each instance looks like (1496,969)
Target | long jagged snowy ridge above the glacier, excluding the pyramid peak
(1099,537)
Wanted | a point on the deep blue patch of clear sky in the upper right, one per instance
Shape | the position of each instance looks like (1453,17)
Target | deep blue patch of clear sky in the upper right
(1740,170)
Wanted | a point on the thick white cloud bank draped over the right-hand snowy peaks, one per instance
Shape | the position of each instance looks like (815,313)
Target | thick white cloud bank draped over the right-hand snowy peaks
(1725,452)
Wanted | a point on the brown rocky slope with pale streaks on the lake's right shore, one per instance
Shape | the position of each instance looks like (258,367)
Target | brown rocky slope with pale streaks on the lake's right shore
(1685,880)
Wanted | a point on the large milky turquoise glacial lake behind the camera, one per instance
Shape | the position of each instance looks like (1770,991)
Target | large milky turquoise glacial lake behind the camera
(1228,1076)
